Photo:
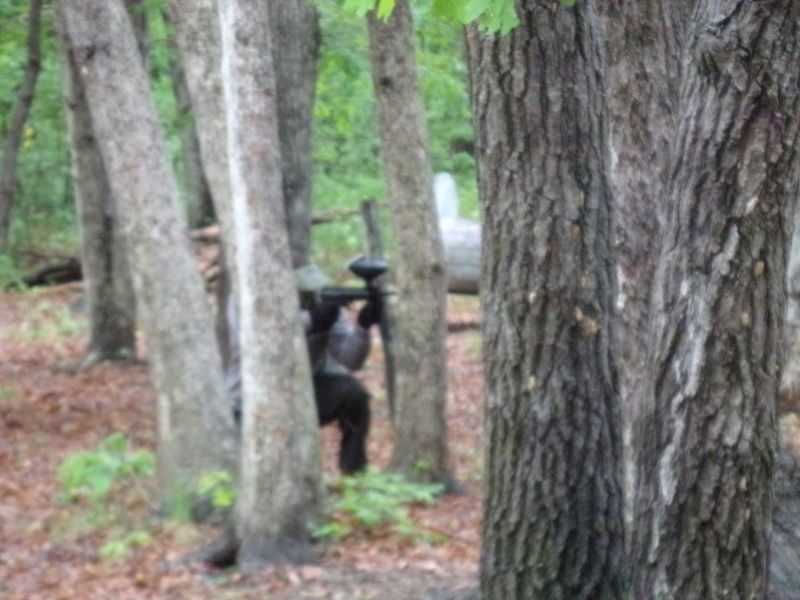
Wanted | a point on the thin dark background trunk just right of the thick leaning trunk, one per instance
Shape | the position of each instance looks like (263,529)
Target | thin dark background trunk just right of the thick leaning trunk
(199,202)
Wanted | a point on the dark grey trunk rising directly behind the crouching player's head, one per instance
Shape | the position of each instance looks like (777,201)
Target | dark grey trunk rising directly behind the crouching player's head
(295,31)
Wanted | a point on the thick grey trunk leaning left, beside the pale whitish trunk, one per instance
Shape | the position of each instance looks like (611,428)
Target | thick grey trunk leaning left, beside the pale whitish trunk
(196,433)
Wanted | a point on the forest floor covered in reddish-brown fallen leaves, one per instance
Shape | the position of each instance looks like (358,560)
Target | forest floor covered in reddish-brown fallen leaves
(50,409)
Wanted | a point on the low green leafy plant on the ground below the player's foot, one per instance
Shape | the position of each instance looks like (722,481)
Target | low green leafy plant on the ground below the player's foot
(372,501)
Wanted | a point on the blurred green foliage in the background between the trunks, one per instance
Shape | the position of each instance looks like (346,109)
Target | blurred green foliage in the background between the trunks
(346,159)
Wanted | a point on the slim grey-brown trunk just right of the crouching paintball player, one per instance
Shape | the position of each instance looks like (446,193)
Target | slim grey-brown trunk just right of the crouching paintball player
(418,265)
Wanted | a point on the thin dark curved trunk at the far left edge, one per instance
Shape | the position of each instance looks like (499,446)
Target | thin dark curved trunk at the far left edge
(8,175)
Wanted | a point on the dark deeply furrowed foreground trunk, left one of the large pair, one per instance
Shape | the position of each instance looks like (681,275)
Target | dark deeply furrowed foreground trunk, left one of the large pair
(552,523)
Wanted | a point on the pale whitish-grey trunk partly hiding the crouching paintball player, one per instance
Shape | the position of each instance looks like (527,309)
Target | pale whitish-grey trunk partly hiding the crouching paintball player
(280,456)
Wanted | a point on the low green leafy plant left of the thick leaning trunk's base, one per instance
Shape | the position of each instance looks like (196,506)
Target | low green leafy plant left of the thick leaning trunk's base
(92,474)
